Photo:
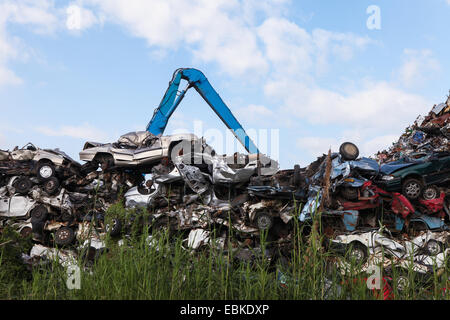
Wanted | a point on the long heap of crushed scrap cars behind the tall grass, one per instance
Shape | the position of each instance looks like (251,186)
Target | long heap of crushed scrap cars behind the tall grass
(399,203)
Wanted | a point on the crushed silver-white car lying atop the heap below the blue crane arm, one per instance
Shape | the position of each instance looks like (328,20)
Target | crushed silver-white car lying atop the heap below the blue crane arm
(135,149)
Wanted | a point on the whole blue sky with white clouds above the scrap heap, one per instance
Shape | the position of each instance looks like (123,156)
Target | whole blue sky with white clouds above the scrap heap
(72,71)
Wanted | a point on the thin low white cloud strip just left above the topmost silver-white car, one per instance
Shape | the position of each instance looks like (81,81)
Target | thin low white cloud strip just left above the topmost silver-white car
(84,132)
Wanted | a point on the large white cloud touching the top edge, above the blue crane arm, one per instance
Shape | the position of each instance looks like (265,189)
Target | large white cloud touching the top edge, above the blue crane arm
(214,31)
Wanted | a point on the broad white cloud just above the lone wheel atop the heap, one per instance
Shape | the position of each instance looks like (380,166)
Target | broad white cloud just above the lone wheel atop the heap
(372,117)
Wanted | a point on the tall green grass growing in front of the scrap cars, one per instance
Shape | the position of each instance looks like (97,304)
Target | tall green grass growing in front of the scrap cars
(165,270)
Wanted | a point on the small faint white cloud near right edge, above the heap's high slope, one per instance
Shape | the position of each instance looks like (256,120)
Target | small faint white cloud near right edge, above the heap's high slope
(418,66)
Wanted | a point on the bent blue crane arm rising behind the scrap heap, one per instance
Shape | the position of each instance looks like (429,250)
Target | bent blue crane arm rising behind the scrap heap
(172,99)
